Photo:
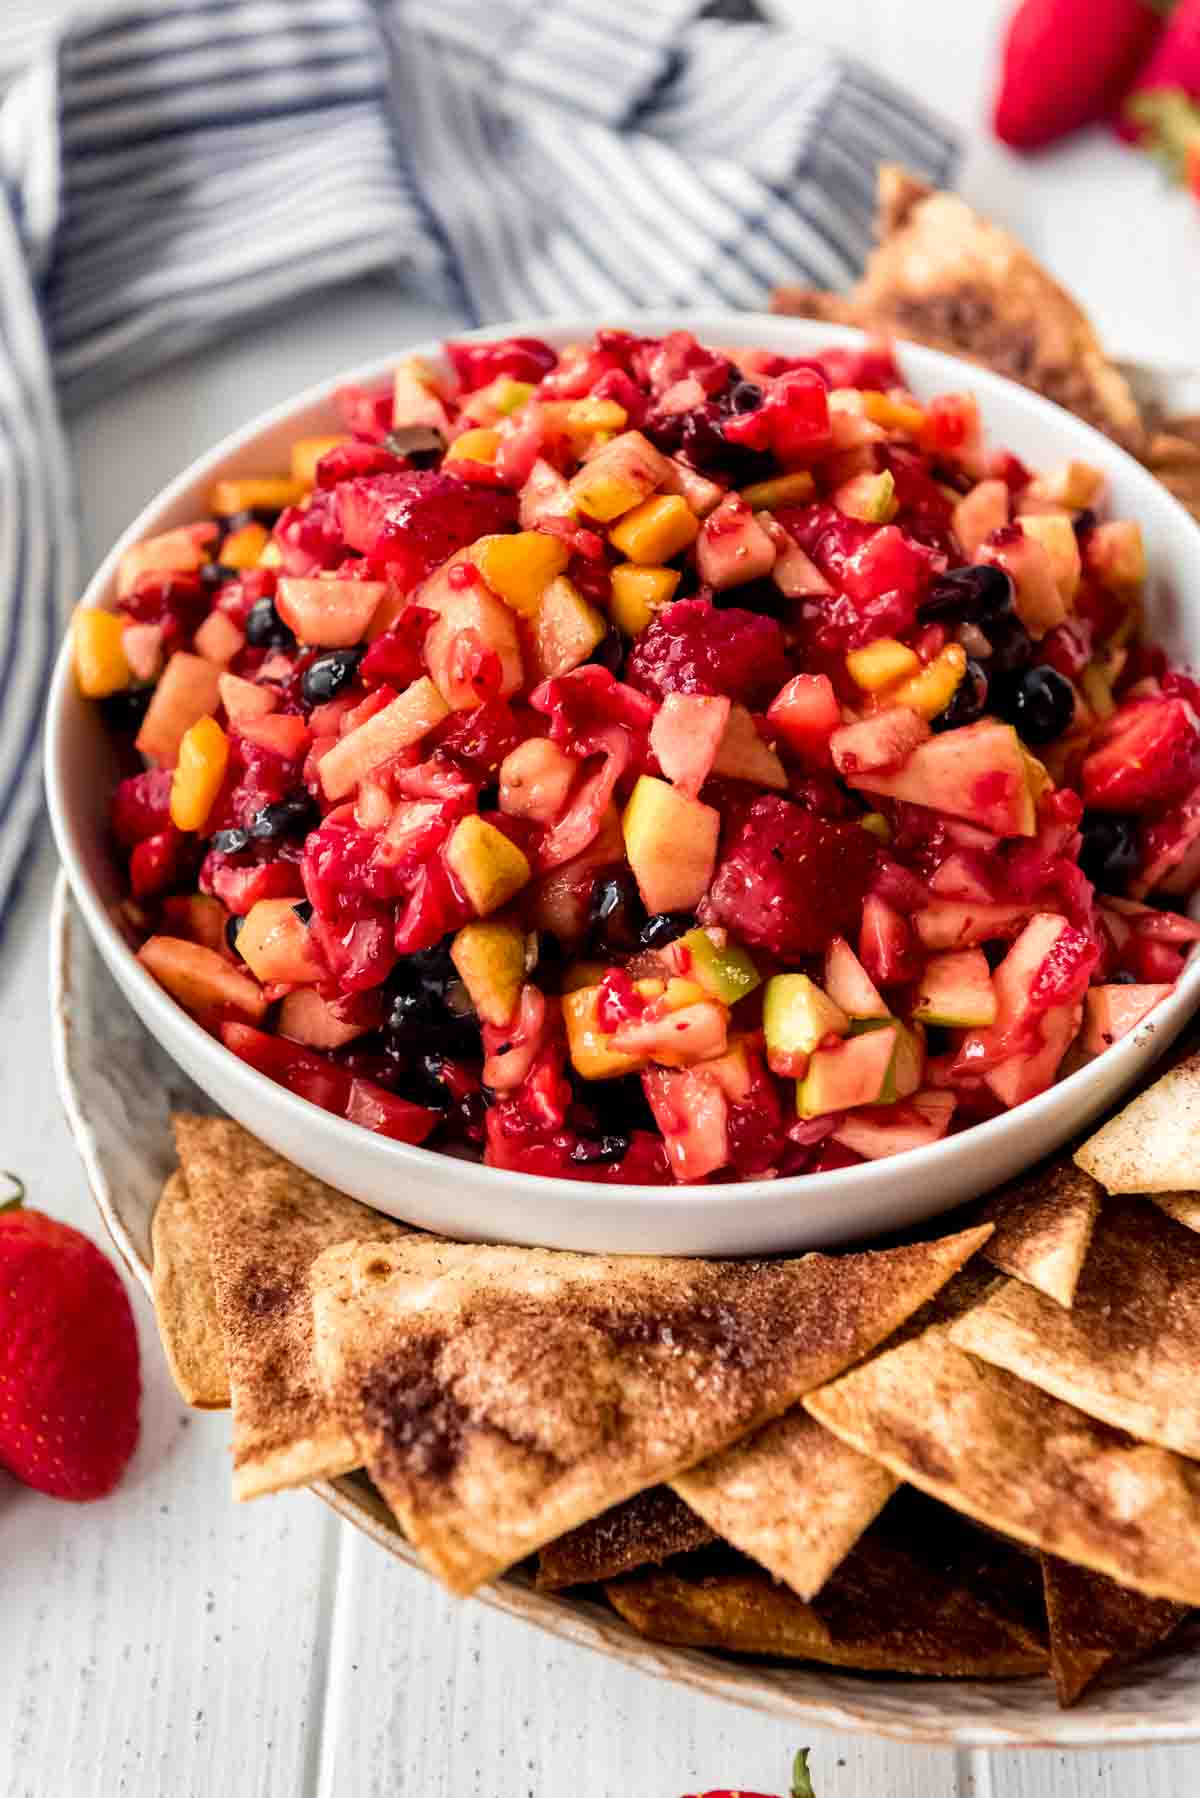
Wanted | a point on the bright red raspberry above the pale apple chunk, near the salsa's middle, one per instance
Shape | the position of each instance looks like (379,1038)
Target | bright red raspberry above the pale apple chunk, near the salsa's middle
(697,648)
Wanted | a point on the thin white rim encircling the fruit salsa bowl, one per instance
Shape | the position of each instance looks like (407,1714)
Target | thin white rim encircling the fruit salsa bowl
(798,335)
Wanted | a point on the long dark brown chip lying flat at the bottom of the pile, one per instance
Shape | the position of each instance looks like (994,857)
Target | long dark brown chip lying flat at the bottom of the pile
(890,1608)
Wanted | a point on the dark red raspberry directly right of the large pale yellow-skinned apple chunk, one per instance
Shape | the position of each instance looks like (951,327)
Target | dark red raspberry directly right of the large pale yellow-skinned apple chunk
(793,882)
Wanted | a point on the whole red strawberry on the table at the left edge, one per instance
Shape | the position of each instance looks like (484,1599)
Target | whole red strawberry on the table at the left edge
(69,1369)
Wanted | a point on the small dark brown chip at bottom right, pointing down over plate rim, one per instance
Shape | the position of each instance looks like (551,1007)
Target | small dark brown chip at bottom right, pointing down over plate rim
(1098,1626)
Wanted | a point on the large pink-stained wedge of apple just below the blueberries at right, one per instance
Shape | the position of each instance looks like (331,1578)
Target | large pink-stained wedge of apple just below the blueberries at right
(976,772)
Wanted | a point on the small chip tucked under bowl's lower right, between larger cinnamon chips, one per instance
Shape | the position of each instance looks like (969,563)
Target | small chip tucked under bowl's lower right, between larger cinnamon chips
(1043,1227)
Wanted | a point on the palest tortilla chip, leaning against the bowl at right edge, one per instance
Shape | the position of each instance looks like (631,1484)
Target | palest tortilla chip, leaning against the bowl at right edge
(1154,1144)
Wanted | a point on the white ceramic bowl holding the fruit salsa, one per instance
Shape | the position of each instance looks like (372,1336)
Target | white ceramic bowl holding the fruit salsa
(460,1198)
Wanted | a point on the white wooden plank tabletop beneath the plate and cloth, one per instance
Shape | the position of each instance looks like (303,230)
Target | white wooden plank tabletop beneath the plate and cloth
(170,1646)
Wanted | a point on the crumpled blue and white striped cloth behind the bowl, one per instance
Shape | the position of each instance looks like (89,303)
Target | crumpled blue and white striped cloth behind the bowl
(174,168)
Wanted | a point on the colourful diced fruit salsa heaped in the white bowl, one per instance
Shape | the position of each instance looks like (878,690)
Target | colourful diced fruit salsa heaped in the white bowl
(650,763)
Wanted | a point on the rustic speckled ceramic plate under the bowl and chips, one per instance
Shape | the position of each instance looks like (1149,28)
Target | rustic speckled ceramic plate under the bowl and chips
(120,1090)
